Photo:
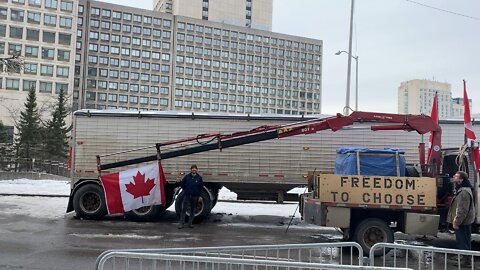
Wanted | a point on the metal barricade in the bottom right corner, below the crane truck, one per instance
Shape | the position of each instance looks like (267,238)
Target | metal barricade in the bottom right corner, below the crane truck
(422,257)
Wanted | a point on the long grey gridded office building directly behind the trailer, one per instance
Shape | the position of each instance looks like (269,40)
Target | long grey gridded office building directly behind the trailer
(138,59)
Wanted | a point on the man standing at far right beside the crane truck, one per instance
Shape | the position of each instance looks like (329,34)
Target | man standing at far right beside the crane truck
(461,213)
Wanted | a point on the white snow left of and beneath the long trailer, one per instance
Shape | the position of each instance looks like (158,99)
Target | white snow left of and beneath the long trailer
(36,206)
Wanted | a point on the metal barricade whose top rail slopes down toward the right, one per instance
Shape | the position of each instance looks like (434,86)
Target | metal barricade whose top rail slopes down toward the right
(121,260)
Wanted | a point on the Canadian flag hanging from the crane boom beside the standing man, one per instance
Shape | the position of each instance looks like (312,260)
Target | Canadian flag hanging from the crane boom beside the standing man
(134,188)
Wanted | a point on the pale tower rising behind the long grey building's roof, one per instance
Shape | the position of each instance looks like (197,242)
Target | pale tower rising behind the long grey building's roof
(248,13)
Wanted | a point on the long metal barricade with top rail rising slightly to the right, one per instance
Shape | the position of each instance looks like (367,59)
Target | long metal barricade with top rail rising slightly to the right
(342,254)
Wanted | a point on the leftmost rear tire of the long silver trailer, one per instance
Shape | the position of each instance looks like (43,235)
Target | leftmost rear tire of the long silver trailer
(89,202)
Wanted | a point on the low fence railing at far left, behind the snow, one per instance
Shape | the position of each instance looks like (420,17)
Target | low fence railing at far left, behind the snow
(35,165)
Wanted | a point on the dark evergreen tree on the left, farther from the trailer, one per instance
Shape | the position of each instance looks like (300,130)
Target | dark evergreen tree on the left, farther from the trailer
(29,128)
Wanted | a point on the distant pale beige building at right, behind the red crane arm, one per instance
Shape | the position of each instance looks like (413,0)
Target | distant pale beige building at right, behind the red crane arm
(416,97)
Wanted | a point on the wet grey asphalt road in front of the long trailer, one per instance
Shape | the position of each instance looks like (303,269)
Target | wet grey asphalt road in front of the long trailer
(27,242)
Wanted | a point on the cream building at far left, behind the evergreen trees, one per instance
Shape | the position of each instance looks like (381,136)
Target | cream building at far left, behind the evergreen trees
(40,33)
